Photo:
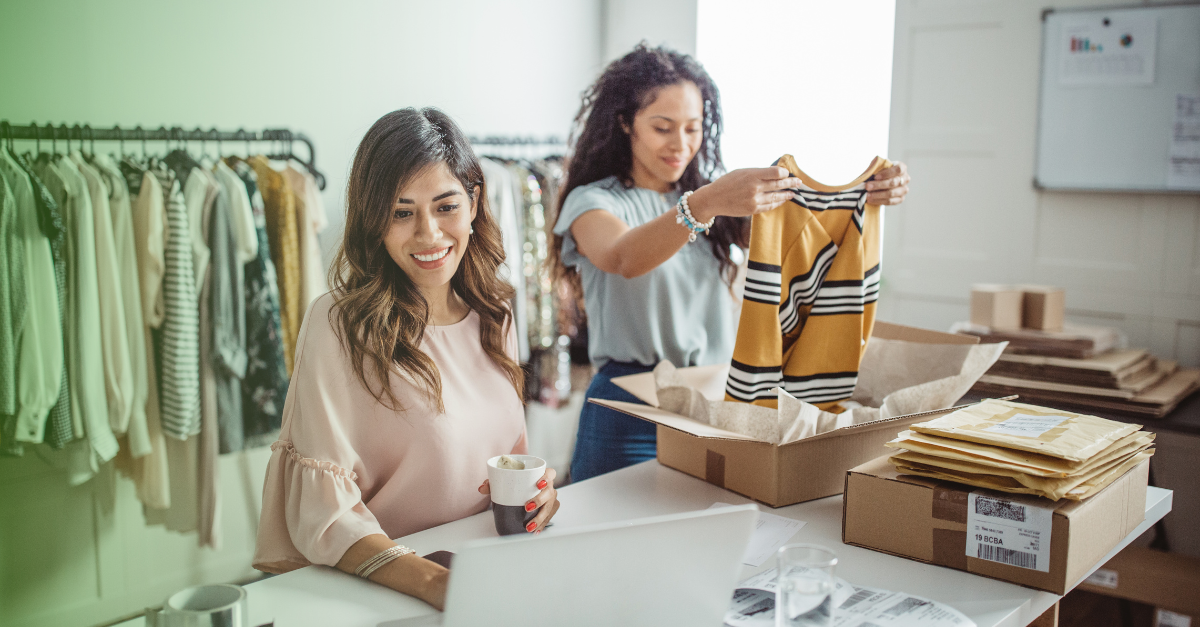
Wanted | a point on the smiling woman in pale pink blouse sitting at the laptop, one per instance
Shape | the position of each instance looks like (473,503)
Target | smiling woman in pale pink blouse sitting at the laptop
(406,378)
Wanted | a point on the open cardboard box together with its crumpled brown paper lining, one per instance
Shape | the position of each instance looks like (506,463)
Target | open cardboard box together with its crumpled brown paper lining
(905,380)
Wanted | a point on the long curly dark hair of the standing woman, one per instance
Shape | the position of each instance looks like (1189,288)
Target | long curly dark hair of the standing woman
(601,148)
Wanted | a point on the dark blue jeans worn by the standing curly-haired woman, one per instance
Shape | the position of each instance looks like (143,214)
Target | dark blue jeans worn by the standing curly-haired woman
(609,440)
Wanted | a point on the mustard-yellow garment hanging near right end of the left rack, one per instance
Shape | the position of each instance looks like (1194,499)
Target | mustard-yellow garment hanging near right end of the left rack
(285,240)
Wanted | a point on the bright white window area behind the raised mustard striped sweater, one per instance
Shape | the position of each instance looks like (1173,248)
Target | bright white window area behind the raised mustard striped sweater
(812,79)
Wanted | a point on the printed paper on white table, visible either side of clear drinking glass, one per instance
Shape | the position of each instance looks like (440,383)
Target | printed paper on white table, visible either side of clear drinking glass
(754,606)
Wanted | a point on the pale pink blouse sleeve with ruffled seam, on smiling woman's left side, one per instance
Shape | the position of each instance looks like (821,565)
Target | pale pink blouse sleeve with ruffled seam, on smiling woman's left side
(313,505)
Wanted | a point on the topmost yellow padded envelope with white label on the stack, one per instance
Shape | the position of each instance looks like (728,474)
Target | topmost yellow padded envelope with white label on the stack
(1006,425)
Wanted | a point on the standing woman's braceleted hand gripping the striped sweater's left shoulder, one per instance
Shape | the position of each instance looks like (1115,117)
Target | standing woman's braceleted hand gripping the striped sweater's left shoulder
(743,193)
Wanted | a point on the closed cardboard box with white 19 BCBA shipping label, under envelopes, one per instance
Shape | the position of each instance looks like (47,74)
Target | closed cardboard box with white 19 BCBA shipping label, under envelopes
(1034,542)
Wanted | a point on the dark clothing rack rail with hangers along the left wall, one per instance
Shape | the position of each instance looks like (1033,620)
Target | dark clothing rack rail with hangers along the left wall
(284,139)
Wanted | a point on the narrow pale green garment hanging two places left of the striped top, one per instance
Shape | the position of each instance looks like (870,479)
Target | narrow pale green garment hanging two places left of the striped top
(122,210)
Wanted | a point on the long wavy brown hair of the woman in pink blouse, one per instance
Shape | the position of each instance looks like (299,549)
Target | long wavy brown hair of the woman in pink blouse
(379,313)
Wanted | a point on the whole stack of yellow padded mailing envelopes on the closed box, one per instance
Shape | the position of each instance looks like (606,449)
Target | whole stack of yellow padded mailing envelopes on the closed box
(1023,449)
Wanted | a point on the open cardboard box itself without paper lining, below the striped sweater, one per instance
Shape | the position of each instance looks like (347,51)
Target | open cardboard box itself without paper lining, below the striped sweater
(775,475)
